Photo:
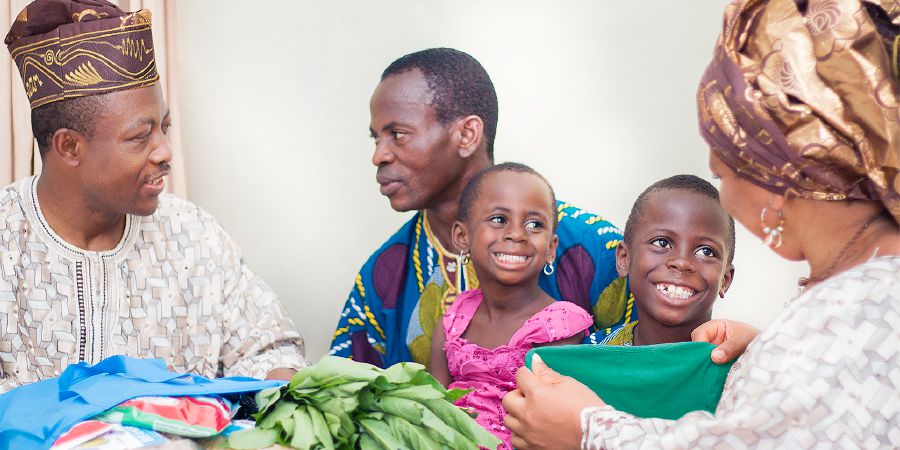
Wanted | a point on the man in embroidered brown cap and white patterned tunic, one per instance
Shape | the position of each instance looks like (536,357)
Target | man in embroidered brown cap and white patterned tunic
(96,259)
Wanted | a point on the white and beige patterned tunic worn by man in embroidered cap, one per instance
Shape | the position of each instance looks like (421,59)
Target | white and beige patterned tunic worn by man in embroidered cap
(174,288)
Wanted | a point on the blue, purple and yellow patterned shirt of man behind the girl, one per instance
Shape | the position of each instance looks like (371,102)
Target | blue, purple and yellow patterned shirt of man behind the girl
(405,287)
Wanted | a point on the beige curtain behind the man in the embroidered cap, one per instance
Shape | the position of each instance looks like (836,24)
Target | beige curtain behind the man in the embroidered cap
(22,159)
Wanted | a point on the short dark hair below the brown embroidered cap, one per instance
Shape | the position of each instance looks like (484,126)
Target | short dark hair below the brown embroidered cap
(79,114)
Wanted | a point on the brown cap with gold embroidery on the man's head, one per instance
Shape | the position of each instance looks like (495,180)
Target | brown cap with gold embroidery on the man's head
(73,48)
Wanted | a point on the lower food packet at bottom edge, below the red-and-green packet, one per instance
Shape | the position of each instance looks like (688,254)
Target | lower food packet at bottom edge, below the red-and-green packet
(97,435)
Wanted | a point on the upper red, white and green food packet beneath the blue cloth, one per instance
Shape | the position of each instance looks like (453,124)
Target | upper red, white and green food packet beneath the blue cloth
(183,416)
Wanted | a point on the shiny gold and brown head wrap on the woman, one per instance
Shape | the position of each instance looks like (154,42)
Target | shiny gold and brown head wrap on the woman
(801,98)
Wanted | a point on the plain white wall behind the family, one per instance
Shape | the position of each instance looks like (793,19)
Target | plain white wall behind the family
(596,95)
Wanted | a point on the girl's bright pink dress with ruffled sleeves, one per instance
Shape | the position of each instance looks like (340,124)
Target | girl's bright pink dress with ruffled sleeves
(492,372)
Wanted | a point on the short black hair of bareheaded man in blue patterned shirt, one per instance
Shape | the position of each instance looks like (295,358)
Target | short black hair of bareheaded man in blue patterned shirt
(459,87)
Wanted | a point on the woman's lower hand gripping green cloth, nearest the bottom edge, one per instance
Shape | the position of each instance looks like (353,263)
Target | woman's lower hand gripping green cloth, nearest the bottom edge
(545,411)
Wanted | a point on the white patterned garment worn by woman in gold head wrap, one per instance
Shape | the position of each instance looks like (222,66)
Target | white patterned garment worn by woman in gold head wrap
(826,374)
